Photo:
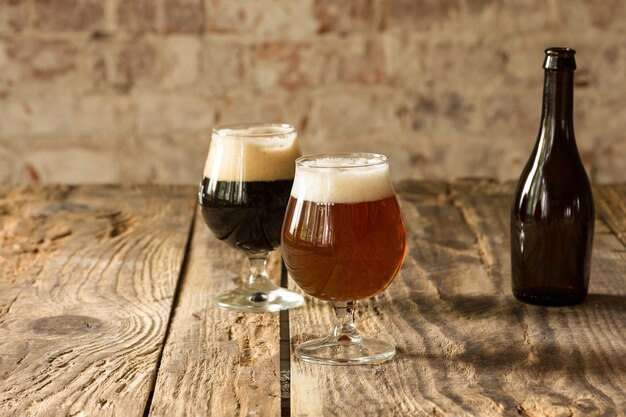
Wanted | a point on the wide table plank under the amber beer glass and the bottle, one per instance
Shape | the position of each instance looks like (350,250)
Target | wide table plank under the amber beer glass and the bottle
(466,347)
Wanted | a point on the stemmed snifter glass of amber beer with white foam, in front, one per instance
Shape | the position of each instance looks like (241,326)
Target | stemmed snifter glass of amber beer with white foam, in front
(343,240)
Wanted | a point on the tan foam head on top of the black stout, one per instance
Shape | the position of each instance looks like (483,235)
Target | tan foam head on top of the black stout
(252,153)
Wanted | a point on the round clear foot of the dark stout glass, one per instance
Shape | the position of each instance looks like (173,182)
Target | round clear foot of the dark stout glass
(258,300)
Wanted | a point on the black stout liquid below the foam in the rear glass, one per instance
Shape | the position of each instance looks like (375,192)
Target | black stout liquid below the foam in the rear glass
(246,215)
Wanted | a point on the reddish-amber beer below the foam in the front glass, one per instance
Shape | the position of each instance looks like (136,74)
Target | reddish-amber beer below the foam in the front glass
(339,251)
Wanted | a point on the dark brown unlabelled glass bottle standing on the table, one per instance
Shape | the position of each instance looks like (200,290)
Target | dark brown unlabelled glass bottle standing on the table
(552,218)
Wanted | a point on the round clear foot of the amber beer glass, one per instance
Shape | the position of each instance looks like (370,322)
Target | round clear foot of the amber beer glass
(351,351)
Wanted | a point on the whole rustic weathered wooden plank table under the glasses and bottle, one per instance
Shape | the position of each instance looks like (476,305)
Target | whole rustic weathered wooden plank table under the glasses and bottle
(105,309)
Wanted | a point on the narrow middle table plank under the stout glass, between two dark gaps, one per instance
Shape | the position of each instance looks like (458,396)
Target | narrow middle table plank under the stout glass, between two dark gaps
(216,362)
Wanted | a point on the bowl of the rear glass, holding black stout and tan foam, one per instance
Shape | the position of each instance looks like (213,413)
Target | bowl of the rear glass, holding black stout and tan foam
(247,181)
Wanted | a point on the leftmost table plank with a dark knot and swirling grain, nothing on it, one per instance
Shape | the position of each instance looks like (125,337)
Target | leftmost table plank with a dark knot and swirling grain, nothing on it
(87,280)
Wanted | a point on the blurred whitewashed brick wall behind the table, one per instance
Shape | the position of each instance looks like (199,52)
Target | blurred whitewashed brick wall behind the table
(128,90)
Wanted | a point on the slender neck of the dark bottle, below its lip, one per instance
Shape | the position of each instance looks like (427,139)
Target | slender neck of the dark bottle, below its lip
(558,104)
